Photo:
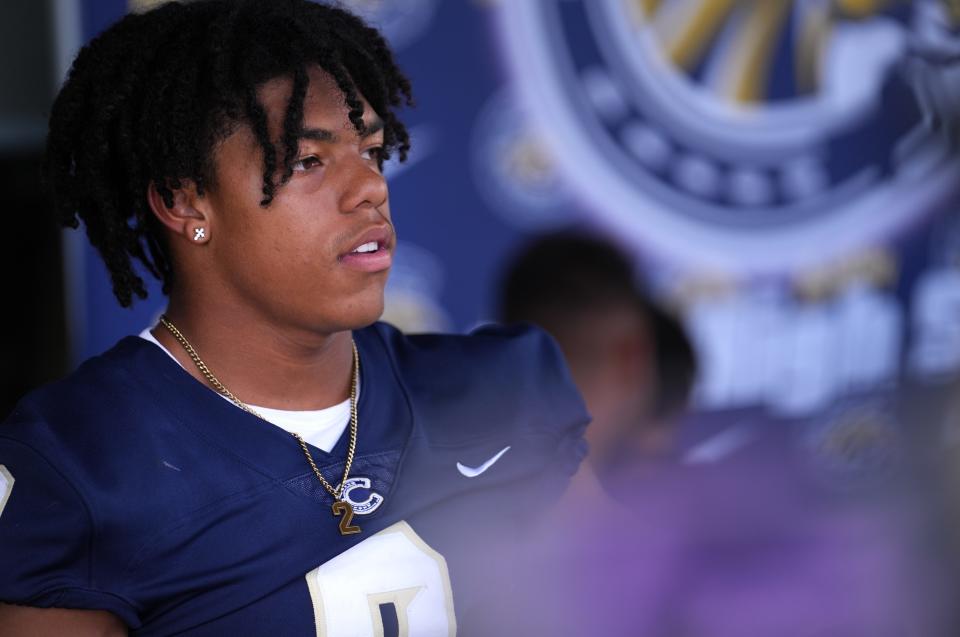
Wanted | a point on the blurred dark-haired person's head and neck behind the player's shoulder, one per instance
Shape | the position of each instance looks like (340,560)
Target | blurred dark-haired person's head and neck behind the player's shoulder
(633,361)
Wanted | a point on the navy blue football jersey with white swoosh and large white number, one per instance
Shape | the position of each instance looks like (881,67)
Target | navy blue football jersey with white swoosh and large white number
(133,488)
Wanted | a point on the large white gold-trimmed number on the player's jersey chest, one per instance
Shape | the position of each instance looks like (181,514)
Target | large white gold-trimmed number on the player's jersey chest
(390,585)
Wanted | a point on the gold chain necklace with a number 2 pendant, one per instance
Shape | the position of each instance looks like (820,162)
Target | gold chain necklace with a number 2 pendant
(341,508)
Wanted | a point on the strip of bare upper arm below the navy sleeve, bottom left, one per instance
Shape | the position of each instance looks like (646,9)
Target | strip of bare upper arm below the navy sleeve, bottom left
(26,621)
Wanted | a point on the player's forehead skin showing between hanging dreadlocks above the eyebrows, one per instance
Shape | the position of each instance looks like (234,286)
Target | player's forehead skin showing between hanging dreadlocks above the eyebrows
(323,106)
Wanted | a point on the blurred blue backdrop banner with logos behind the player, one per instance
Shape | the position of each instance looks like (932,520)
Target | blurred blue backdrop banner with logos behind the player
(770,165)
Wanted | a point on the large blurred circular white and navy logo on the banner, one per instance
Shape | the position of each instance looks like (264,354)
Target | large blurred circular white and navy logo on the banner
(756,136)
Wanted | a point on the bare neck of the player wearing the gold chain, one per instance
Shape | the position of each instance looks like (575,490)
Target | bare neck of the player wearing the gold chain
(260,362)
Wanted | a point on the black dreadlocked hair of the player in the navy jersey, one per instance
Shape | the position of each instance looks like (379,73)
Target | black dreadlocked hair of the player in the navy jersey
(147,101)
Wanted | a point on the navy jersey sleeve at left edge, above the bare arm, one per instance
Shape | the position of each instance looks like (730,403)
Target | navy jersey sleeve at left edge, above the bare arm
(46,533)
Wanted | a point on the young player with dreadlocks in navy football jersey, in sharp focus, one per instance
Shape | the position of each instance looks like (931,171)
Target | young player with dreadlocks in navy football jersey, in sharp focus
(265,459)
